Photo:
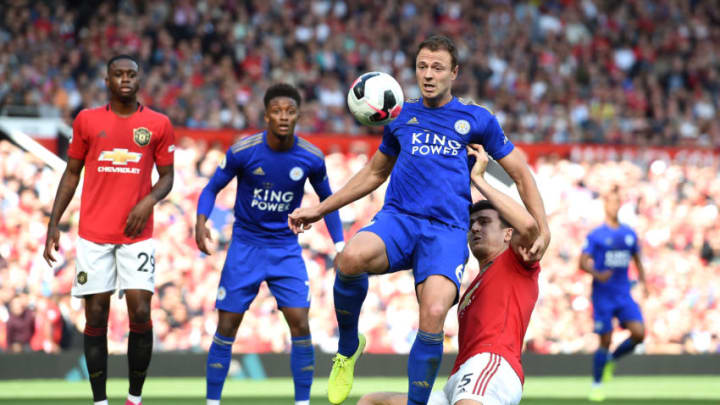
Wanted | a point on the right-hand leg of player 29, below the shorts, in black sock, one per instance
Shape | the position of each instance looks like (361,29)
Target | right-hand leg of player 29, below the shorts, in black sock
(140,341)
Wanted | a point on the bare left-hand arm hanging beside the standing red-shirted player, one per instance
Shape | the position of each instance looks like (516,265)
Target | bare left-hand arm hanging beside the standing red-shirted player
(66,190)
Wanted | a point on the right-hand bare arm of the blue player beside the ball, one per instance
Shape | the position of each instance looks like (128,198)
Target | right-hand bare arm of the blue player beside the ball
(515,165)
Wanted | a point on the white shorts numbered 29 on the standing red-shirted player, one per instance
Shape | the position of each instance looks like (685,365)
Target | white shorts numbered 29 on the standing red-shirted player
(103,267)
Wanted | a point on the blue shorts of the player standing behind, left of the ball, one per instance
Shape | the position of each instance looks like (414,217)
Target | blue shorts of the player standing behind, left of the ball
(246,266)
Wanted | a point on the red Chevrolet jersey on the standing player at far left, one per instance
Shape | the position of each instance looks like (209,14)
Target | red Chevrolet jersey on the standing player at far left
(119,154)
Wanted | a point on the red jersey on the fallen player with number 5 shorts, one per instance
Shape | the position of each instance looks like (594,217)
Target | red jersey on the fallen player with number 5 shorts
(495,310)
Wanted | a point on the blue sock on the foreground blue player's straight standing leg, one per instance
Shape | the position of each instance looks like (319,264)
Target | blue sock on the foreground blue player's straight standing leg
(423,366)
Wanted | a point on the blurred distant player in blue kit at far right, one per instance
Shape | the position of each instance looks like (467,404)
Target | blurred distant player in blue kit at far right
(606,255)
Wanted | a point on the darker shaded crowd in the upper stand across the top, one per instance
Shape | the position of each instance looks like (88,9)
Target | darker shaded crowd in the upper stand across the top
(624,72)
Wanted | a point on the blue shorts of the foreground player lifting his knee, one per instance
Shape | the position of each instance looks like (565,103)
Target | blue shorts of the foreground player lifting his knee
(425,246)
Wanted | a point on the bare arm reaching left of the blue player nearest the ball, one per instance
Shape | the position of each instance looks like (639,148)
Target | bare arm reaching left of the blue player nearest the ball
(361,184)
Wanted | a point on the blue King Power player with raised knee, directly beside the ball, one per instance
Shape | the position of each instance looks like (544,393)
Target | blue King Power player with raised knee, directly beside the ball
(424,221)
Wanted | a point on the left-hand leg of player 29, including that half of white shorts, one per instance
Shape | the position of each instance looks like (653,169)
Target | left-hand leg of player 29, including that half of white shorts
(95,281)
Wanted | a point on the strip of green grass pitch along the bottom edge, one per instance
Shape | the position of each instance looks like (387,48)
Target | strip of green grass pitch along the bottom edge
(635,390)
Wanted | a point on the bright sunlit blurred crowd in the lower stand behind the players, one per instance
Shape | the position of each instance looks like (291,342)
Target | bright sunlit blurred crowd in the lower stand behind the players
(673,208)
